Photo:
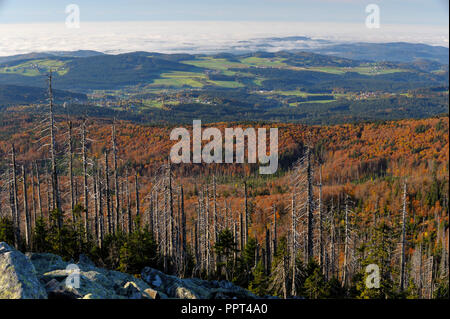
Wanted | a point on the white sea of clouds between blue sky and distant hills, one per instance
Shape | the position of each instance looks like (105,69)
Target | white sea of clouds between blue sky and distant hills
(200,37)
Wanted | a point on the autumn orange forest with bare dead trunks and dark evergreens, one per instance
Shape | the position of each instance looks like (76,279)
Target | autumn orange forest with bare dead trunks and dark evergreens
(345,197)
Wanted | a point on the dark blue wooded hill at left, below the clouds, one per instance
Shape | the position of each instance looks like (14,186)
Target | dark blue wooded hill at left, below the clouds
(99,71)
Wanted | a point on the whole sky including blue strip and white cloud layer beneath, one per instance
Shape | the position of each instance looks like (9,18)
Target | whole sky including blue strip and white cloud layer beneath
(209,25)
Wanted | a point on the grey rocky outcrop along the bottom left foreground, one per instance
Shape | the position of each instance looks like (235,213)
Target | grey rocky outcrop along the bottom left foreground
(43,275)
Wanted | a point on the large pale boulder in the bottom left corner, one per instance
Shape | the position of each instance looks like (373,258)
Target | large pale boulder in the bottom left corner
(18,277)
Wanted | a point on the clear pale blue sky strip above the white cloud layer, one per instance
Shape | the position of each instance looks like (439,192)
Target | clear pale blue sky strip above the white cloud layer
(431,12)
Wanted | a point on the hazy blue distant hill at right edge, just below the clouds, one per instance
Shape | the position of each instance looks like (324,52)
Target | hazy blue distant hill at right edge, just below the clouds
(395,52)
